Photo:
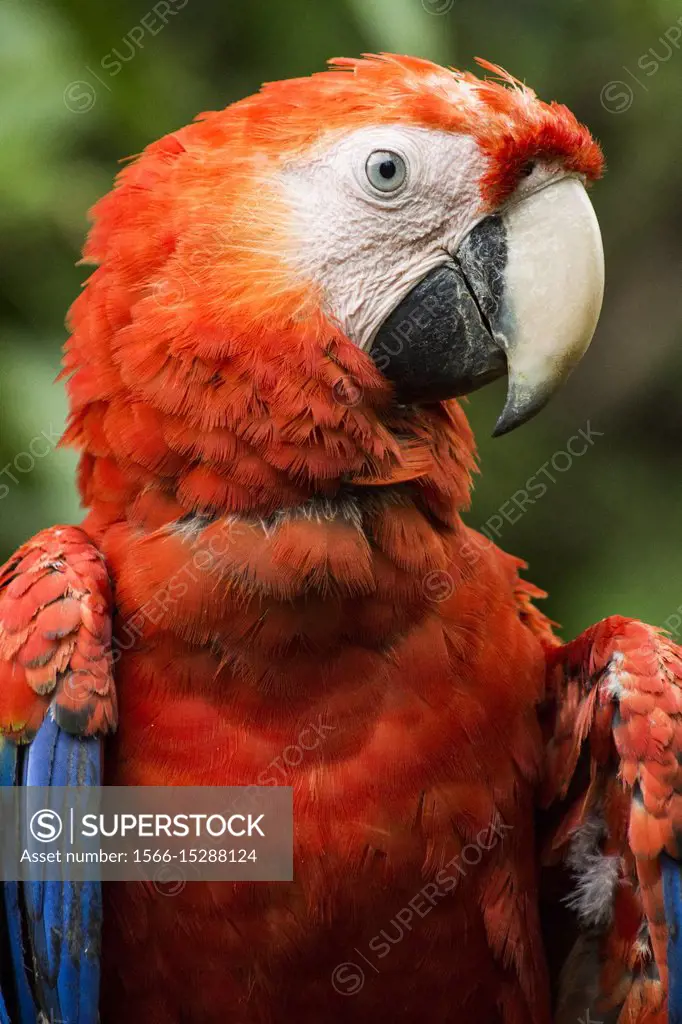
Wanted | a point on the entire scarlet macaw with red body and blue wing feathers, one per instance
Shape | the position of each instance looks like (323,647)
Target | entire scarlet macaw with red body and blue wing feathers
(288,296)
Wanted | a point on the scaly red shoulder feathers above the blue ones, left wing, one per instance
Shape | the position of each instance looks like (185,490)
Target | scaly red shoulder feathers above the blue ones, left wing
(56,637)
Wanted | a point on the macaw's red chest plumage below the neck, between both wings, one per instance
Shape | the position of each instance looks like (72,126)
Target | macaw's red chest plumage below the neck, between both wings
(370,686)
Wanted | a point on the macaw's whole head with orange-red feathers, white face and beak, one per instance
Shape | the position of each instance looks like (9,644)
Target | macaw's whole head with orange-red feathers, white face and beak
(286,285)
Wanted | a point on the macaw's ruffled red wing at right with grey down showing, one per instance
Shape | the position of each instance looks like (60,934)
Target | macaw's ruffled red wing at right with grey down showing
(617,698)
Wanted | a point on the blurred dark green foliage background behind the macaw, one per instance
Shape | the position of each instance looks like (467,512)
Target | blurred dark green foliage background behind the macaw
(84,83)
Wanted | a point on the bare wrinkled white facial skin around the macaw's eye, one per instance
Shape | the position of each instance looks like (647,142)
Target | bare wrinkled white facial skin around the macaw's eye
(369,248)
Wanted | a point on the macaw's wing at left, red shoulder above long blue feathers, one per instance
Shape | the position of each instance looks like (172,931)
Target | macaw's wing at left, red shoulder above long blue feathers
(57,692)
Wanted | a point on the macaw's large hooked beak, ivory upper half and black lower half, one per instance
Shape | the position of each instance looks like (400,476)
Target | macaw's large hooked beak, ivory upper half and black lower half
(523,296)
